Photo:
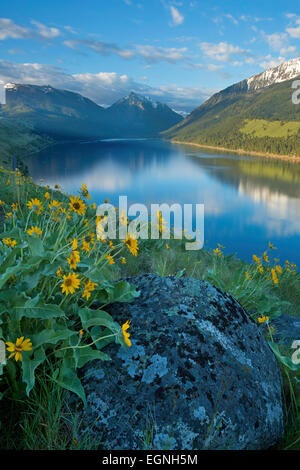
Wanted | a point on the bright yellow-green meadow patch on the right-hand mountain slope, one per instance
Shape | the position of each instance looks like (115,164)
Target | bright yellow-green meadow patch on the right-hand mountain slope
(263,128)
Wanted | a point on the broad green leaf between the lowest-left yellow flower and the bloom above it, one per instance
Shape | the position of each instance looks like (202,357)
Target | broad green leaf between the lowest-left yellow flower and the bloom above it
(34,308)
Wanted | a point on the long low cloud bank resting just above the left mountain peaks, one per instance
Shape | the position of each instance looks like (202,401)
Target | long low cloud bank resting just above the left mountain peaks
(104,87)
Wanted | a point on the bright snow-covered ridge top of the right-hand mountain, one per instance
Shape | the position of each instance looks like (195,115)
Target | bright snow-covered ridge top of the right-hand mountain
(285,71)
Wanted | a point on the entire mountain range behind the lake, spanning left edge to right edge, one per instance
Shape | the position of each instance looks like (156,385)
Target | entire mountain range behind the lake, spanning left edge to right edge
(256,114)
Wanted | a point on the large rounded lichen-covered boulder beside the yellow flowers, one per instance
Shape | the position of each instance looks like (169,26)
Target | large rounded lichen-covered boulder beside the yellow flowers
(199,374)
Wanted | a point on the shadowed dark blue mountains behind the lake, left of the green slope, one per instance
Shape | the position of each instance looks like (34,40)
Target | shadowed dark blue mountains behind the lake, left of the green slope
(64,115)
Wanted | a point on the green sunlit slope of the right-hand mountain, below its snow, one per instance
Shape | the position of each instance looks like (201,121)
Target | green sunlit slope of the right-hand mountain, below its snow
(262,120)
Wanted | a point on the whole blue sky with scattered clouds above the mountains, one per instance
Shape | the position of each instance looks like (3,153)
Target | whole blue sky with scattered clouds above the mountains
(178,52)
